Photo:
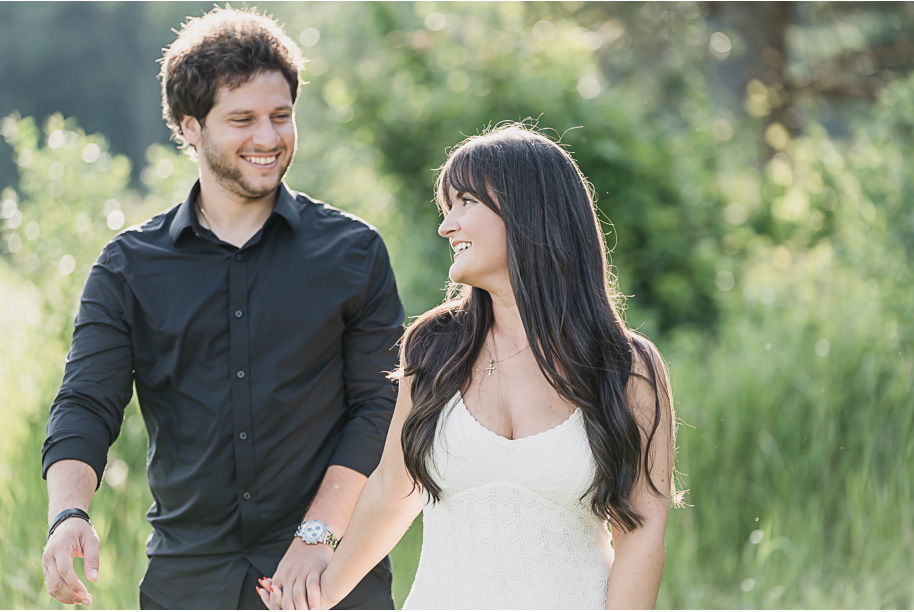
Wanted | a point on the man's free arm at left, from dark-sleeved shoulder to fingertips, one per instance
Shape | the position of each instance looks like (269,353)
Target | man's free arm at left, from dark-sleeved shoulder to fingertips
(84,420)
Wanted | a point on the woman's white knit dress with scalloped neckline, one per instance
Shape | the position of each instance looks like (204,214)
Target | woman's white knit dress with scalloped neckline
(510,530)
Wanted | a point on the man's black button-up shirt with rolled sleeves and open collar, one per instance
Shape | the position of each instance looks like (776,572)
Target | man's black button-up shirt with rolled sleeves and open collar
(255,369)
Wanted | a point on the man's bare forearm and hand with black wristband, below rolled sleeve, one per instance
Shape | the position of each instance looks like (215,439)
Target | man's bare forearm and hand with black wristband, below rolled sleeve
(71,484)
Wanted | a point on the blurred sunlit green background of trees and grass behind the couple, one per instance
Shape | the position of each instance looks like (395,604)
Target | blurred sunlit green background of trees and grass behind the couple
(749,156)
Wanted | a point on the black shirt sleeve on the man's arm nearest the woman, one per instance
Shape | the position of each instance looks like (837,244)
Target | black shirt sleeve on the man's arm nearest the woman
(373,328)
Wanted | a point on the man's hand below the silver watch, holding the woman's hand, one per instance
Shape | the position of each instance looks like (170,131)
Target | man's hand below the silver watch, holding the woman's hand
(296,583)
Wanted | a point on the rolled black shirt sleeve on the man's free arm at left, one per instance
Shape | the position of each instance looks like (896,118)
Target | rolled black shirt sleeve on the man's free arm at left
(87,413)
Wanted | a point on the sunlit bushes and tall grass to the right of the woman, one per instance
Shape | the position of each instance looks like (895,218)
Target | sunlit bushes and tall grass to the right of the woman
(799,460)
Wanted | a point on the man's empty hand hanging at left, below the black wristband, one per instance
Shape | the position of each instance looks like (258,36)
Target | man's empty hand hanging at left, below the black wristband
(73,538)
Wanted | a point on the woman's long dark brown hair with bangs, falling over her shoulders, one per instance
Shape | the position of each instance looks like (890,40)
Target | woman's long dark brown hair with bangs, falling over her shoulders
(568,303)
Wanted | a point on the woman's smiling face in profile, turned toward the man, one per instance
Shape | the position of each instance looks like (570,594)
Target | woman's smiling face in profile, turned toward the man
(477,238)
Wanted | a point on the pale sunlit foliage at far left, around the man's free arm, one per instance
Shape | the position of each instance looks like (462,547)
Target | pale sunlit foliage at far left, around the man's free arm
(72,194)
